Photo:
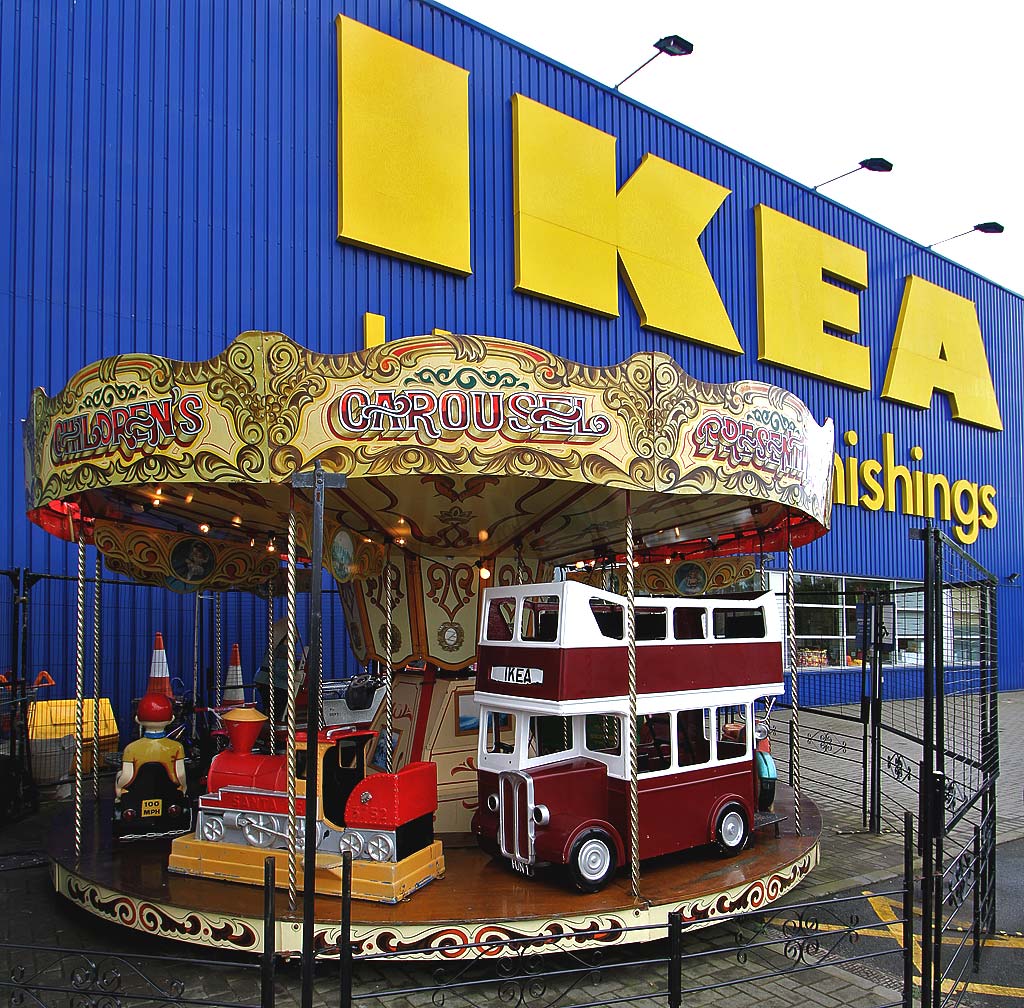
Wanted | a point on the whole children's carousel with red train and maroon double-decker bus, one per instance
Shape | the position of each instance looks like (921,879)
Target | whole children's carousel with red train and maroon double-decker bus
(562,730)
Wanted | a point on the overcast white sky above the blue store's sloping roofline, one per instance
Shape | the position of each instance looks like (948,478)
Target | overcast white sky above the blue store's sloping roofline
(813,89)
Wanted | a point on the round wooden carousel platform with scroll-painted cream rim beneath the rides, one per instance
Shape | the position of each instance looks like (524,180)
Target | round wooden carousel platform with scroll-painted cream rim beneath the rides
(480,900)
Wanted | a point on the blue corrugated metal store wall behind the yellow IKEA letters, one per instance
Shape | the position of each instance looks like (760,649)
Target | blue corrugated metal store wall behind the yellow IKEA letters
(168,181)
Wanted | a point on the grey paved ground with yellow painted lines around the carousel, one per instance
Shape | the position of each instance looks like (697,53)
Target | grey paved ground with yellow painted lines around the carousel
(861,975)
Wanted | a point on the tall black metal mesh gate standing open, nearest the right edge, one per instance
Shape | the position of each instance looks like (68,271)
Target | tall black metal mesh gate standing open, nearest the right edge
(960,764)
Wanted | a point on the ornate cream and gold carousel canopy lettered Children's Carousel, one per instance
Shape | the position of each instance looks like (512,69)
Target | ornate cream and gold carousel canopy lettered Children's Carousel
(461,454)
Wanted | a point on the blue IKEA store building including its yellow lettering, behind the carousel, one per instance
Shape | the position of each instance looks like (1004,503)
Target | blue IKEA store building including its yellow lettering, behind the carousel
(343,173)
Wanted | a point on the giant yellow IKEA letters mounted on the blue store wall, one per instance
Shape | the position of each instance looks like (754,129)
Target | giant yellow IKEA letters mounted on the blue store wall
(404,158)
